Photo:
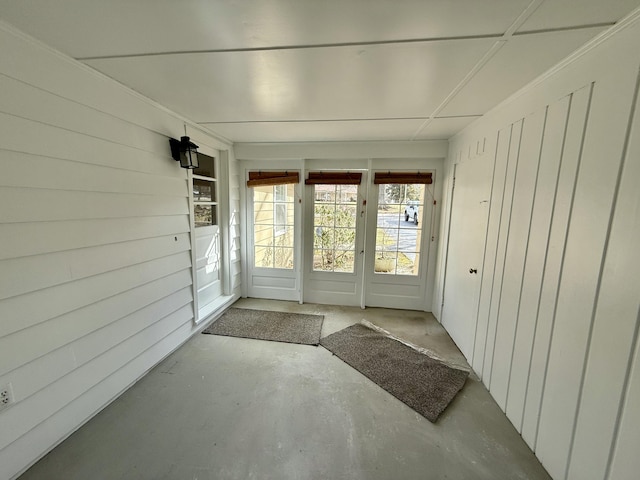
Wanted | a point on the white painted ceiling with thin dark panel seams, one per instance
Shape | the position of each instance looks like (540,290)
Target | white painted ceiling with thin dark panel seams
(320,70)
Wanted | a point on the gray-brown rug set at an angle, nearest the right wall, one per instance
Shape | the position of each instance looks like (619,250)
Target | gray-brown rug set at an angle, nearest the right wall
(422,383)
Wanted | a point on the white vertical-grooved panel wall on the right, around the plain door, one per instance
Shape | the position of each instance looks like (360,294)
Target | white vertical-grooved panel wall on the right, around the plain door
(556,331)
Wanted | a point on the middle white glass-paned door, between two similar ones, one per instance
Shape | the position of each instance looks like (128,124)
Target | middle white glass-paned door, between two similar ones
(334,244)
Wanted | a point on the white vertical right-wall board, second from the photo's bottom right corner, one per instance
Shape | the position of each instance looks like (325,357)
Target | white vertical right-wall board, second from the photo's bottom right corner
(605,373)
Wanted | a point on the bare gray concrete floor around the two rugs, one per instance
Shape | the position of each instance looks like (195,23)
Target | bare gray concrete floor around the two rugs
(233,408)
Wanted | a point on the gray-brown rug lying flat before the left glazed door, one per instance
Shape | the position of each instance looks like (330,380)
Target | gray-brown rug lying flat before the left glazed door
(268,325)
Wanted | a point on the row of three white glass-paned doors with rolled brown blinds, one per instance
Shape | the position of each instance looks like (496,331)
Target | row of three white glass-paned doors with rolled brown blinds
(342,238)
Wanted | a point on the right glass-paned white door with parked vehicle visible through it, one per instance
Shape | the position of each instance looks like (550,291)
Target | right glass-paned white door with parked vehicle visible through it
(398,232)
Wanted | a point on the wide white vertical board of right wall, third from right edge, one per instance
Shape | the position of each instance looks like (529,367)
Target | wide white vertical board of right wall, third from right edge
(585,247)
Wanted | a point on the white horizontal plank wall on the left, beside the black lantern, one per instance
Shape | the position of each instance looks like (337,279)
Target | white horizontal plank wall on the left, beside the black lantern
(95,262)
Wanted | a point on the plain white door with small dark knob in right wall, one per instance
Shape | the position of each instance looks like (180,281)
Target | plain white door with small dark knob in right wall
(467,234)
